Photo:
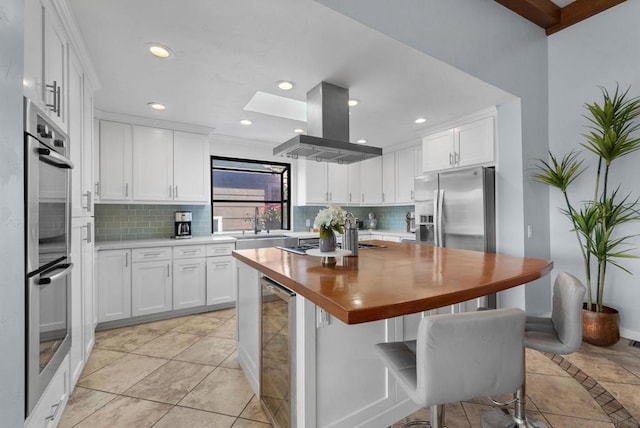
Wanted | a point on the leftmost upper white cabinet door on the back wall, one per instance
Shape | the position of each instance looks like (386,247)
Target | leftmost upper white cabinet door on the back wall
(116,142)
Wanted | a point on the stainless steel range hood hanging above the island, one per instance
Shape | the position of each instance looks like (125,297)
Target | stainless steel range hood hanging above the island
(327,138)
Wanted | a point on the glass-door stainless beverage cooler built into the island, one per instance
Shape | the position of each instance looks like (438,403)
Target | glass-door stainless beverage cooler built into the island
(277,353)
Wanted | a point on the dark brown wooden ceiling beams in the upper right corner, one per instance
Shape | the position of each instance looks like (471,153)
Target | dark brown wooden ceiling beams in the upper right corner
(553,18)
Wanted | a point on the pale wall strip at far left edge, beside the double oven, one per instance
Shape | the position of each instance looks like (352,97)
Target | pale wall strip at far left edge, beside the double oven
(12,280)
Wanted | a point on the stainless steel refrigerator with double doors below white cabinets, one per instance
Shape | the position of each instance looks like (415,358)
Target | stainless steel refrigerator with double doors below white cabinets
(456,209)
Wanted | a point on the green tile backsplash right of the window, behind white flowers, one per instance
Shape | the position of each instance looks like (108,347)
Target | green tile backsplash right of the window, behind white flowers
(389,218)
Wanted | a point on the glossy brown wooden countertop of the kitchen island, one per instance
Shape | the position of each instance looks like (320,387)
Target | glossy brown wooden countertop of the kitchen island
(399,279)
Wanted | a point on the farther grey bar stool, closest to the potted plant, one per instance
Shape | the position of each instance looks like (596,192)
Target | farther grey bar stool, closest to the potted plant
(559,334)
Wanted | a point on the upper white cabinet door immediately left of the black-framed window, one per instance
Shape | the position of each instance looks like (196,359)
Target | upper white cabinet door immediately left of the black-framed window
(191,168)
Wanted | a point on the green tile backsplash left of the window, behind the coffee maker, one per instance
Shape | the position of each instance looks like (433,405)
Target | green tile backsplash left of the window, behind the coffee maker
(121,222)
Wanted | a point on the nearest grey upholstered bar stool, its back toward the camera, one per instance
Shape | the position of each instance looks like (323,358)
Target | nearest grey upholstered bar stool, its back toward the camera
(457,357)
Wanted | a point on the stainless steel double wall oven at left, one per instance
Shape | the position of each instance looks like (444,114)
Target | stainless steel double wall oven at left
(48,266)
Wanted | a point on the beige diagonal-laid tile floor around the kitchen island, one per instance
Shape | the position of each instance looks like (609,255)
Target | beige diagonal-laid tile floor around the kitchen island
(183,372)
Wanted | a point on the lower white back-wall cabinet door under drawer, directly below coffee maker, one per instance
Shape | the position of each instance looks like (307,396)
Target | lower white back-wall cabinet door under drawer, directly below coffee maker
(189,282)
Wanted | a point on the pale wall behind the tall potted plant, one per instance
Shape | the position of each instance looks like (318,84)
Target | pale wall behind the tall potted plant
(599,51)
